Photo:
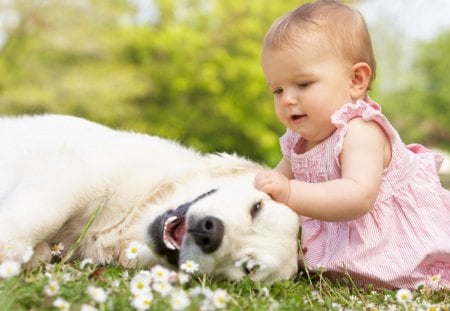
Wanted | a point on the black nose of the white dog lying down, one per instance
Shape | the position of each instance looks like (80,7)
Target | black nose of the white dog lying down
(208,233)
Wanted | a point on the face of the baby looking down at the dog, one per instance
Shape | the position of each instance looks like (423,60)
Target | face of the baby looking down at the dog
(309,82)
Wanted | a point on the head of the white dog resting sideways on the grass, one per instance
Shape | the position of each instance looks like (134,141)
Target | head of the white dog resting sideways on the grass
(231,231)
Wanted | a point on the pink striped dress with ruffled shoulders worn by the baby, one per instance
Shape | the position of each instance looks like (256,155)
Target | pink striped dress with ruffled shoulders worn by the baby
(404,240)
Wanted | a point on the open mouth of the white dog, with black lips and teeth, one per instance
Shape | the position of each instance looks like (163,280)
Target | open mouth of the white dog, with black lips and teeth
(168,231)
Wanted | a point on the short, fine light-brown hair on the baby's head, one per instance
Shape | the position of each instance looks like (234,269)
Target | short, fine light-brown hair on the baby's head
(343,26)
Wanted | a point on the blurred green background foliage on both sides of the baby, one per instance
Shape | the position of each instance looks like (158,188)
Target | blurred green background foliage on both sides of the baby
(190,71)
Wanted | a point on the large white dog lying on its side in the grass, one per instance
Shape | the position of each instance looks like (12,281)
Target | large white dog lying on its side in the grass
(57,171)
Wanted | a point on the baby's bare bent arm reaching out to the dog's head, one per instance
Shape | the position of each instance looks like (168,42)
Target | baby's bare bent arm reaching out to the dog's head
(362,162)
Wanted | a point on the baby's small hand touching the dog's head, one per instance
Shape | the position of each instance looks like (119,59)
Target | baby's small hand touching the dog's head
(275,184)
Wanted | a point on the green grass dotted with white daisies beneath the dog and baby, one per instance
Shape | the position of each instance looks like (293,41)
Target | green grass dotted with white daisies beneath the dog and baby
(86,287)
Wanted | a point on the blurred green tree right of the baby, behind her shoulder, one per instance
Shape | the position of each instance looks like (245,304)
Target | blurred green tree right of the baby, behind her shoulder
(420,109)
